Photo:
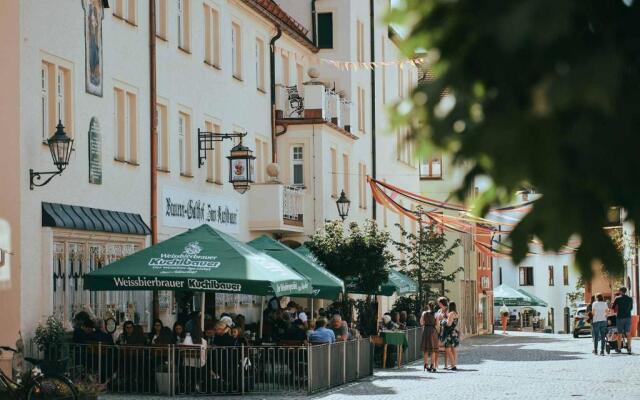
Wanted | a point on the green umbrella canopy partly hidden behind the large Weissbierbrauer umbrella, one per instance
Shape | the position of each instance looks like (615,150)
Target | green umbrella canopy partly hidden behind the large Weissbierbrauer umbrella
(325,285)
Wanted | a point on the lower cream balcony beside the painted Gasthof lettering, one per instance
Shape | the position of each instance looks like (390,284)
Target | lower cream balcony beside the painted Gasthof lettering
(275,207)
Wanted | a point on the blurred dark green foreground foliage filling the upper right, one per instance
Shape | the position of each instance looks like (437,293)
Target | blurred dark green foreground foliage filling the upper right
(541,93)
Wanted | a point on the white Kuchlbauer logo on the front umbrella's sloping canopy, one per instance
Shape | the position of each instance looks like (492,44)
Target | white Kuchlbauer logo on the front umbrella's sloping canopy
(188,262)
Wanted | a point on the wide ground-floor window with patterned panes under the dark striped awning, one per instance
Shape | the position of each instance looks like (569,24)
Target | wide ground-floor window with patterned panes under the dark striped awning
(75,256)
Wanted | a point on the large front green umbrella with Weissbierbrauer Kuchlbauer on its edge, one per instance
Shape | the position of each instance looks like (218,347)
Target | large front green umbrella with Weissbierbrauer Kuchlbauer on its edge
(201,259)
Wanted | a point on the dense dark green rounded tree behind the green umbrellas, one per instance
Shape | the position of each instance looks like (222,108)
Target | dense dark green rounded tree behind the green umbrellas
(359,253)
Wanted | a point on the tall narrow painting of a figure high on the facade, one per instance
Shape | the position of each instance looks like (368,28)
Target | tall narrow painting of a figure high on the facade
(93,16)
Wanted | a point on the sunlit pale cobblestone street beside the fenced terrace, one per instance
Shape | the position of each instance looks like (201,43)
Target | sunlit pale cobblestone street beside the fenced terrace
(516,366)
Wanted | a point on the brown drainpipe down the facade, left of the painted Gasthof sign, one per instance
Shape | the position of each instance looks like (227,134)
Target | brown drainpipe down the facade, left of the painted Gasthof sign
(153,145)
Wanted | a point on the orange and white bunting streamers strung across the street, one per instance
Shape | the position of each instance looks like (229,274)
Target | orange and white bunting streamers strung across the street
(482,230)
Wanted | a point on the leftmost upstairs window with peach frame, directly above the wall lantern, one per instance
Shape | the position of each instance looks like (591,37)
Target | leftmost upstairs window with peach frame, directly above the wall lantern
(55,98)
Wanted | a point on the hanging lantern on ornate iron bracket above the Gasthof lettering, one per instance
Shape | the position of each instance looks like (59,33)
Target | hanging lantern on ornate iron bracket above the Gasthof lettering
(241,158)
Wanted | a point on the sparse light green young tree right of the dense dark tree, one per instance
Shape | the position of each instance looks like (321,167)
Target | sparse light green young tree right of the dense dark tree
(425,255)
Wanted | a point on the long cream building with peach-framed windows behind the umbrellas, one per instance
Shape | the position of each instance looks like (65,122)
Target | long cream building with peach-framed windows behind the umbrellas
(89,68)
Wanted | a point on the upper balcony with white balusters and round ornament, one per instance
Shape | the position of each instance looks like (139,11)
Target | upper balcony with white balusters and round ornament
(313,103)
